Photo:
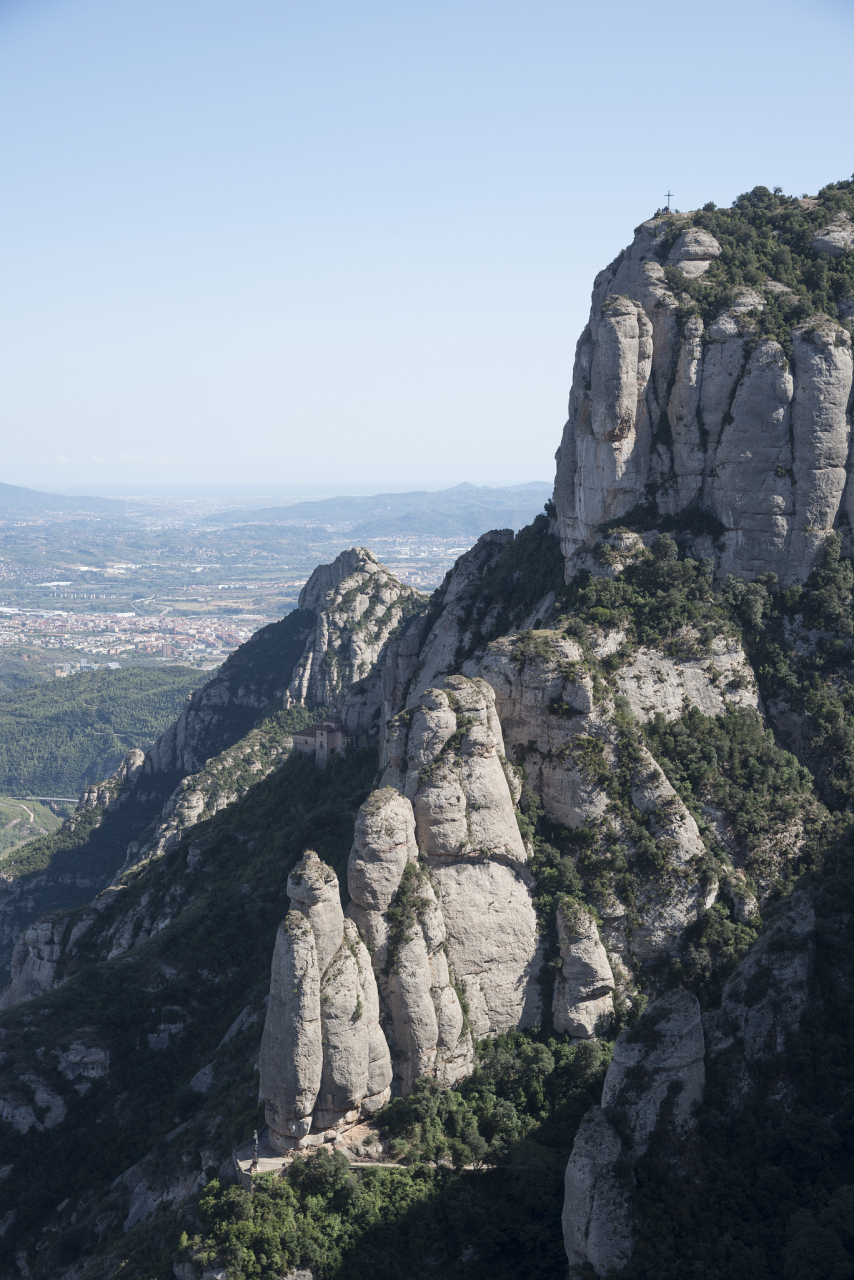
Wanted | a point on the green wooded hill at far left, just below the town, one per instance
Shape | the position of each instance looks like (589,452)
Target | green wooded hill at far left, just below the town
(61,737)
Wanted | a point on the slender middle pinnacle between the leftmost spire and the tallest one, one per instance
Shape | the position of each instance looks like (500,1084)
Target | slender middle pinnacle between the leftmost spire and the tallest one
(421,1008)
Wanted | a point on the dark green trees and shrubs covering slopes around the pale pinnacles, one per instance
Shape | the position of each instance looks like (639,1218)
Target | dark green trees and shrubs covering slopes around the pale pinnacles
(478,1186)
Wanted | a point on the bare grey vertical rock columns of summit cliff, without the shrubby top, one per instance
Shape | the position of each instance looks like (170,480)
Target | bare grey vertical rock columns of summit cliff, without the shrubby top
(675,417)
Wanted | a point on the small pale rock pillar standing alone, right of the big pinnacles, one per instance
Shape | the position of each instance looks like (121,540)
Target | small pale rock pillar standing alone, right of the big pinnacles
(584,985)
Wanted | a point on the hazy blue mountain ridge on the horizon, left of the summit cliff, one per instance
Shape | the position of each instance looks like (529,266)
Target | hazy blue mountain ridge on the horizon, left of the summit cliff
(467,511)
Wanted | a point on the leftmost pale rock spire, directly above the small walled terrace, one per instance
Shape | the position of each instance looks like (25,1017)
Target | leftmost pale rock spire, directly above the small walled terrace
(325,1060)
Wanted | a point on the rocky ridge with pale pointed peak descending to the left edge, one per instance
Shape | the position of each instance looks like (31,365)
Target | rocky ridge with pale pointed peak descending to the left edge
(223,743)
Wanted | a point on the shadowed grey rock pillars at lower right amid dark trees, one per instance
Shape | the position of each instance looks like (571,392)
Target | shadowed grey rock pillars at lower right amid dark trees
(654,1086)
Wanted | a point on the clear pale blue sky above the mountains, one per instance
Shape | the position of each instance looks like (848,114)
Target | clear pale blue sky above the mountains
(255,243)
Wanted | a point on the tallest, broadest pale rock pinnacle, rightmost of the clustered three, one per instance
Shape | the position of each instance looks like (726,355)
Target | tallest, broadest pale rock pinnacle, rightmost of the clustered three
(447,758)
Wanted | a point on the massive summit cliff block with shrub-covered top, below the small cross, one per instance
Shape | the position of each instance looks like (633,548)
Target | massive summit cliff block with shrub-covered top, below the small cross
(713,387)
